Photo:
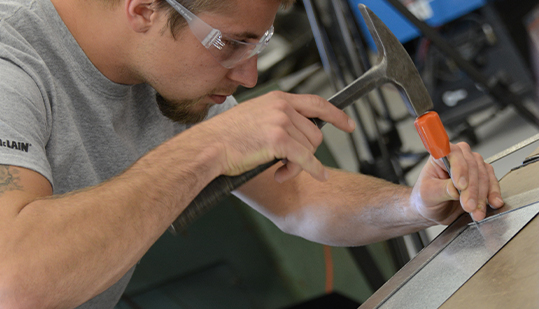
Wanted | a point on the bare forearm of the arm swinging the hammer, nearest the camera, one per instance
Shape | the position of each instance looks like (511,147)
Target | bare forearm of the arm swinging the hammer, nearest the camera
(79,244)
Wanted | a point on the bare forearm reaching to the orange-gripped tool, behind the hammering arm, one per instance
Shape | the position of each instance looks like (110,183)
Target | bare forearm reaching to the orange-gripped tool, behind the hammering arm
(347,210)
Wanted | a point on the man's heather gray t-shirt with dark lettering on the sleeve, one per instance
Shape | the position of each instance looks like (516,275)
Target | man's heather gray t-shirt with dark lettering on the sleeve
(61,117)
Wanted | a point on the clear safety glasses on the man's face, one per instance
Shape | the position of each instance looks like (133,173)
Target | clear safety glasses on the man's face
(227,51)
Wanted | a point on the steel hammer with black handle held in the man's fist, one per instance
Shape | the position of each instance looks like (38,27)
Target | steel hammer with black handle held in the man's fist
(393,66)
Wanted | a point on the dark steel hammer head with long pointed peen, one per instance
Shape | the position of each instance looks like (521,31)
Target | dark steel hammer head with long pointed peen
(397,66)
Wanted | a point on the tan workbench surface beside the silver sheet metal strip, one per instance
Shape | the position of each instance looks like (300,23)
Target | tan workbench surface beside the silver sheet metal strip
(511,278)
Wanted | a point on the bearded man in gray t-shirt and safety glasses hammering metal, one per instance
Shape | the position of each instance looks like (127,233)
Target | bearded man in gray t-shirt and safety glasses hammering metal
(92,173)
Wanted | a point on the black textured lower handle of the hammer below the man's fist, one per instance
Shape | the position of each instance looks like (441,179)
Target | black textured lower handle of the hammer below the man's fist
(218,189)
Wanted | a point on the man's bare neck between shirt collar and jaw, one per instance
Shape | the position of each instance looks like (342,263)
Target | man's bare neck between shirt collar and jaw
(102,33)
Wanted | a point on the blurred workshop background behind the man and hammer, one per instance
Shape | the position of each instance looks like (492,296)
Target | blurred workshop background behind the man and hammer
(483,85)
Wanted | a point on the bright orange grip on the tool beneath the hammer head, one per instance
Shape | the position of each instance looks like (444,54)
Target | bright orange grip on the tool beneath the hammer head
(433,134)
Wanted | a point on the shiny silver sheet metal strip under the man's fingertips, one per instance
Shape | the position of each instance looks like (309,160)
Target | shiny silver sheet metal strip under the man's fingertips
(446,272)
